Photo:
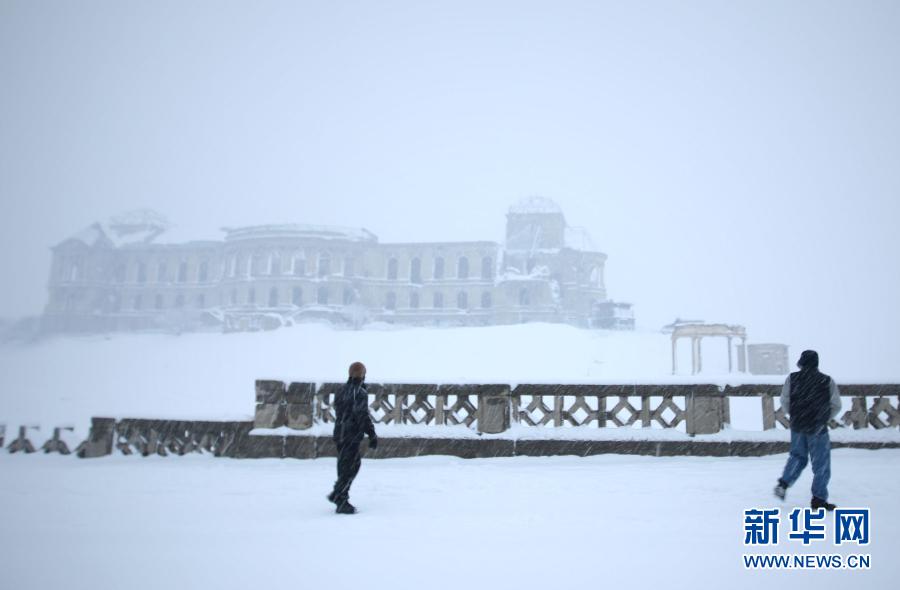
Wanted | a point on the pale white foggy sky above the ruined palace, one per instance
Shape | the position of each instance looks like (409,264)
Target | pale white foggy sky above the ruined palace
(737,161)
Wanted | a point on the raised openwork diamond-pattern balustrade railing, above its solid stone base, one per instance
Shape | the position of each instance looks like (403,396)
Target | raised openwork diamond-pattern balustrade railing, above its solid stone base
(493,408)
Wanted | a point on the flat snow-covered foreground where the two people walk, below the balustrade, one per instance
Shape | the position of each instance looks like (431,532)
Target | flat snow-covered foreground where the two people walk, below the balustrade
(428,522)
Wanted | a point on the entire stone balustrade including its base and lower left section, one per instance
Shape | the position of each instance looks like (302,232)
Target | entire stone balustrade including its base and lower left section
(292,420)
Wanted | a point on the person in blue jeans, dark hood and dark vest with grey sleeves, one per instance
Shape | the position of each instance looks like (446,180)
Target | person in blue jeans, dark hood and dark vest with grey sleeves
(810,399)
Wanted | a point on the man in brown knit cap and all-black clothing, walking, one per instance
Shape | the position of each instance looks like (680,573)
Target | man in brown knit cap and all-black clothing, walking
(352,420)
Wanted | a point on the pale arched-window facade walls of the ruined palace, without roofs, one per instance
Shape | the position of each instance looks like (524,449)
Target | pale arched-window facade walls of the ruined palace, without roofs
(143,286)
